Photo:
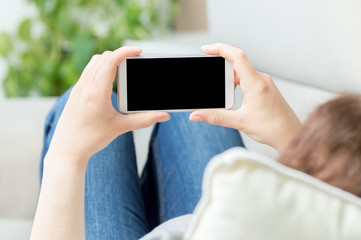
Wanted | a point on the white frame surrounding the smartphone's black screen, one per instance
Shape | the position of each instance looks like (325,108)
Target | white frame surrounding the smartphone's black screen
(122,83)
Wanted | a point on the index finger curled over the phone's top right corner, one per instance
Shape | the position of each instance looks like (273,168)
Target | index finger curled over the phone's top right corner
(245,71)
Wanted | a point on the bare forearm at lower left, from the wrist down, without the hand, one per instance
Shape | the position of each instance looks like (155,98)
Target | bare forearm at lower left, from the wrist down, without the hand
(60,211)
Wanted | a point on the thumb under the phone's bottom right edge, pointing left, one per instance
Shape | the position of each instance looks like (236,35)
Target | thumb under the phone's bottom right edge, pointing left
(221,117)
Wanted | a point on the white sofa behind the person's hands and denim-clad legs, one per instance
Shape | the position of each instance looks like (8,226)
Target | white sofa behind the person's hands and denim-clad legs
(310,48)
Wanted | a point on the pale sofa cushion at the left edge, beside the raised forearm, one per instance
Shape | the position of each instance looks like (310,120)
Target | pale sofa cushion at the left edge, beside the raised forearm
(22,128)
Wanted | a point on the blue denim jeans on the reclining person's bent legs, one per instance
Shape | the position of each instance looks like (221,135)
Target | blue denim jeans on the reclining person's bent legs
(119,204)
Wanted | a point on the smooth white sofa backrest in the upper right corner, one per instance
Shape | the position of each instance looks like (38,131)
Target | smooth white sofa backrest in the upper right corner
(312,42)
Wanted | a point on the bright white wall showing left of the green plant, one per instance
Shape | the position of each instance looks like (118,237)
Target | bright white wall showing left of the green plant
(11,13)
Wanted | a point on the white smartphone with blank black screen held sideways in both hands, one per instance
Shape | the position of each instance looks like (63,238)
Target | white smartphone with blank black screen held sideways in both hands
(175,83)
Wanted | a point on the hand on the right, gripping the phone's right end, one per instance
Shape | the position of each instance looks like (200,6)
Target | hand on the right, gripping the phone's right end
(264,115)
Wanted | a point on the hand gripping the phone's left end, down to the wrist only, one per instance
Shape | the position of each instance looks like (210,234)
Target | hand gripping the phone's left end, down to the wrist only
(89,122)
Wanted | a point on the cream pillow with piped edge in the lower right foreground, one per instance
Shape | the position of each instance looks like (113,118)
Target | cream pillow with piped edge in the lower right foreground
(248,196)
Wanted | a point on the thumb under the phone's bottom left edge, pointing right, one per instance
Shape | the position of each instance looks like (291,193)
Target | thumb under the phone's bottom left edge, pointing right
(142,120)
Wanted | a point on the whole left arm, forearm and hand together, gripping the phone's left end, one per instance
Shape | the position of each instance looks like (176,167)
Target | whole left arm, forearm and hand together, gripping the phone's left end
(88,124)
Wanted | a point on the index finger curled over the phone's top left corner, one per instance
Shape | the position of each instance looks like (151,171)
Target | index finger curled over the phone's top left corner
(107,69)
